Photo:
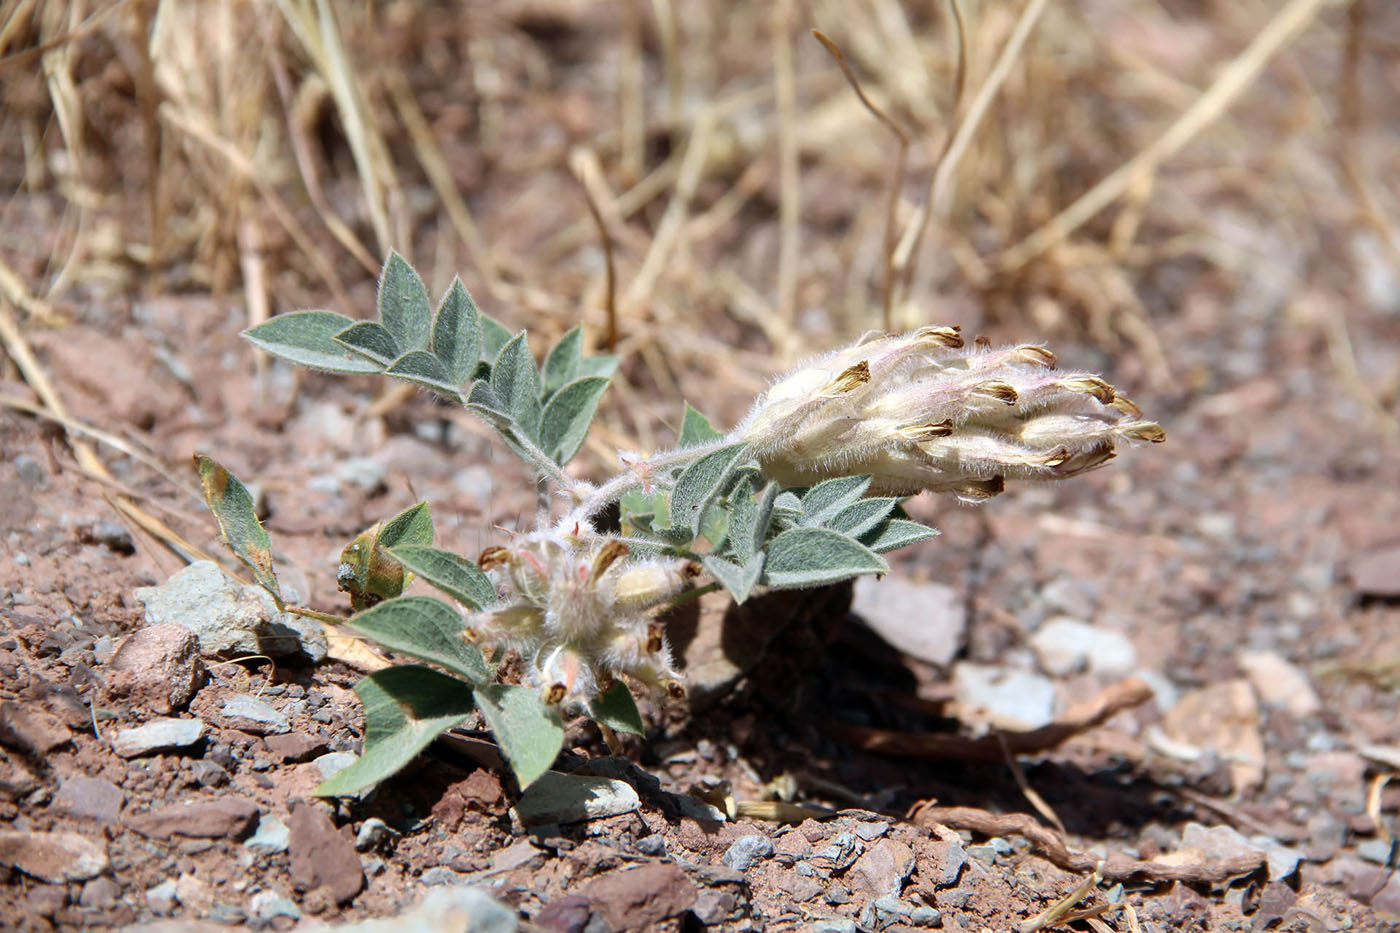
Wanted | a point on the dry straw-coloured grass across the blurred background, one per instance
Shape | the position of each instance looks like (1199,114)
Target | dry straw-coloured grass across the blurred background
(1066,163)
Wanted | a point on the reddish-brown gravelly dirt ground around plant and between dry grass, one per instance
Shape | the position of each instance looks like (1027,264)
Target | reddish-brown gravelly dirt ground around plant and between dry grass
(1251,564)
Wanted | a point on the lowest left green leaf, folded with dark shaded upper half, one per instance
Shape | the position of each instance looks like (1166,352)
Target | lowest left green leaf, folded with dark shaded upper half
(405,710)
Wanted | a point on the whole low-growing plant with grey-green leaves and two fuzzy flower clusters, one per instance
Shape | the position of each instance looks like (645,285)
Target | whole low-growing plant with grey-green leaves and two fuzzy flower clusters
(804,492)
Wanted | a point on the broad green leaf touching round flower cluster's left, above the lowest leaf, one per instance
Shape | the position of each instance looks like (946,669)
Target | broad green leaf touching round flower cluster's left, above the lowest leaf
(425,628)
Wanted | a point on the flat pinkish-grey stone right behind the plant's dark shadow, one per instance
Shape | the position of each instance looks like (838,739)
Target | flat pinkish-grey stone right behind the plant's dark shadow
(926,621)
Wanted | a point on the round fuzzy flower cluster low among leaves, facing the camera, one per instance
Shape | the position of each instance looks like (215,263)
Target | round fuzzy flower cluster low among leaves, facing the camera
(582,613)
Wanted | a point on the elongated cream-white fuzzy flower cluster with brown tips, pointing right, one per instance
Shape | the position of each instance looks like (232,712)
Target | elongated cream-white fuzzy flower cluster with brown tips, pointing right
(922,411)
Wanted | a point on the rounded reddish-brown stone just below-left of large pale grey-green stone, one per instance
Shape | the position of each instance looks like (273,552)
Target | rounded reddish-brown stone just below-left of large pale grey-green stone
(157,666)
